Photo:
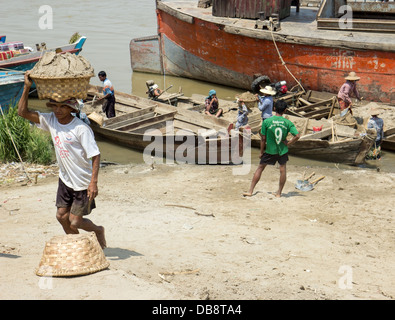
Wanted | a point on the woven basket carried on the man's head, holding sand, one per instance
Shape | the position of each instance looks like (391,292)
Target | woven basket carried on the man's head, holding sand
(61,89)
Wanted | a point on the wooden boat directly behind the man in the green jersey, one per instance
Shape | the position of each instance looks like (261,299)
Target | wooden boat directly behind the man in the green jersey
(333,143)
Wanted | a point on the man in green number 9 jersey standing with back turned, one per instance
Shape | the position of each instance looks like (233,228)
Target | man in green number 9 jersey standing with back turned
(274,146)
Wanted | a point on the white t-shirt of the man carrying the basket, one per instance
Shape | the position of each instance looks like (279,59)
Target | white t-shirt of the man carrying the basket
(74,146)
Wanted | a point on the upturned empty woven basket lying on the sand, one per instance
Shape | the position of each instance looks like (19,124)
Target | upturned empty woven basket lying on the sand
(72,255)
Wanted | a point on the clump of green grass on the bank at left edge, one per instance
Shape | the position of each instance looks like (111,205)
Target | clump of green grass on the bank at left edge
(33,144)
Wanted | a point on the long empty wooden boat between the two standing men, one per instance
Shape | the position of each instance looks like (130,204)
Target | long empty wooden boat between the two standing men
(163,130)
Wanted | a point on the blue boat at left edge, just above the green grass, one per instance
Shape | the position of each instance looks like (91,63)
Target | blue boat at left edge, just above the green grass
(11,88)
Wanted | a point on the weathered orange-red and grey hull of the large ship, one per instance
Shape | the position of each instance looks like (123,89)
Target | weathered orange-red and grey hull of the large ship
(196,45)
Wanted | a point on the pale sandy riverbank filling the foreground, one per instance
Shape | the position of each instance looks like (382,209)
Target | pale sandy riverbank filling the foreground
(185,232)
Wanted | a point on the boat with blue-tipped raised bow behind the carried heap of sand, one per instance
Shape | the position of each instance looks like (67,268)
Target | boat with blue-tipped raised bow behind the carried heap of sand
(27,61)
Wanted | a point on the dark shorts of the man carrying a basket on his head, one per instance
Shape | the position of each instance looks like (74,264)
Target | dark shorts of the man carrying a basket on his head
(78,201)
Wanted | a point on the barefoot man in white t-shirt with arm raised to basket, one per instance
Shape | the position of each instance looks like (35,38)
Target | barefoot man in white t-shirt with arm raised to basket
(75,145)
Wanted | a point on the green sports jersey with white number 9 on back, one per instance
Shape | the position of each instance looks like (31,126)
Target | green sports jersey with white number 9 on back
(276,130)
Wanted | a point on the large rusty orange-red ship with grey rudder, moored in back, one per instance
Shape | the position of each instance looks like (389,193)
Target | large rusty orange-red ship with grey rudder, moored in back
(216,45)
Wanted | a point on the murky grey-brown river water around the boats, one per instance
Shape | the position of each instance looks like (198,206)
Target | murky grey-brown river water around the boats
(109,27)
